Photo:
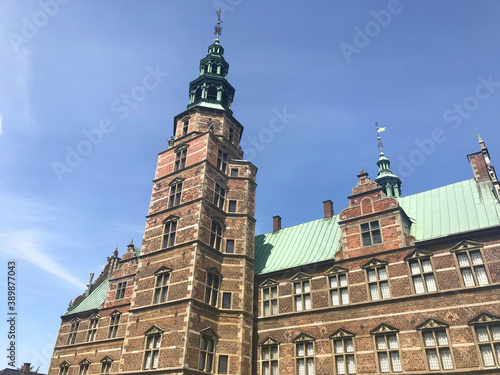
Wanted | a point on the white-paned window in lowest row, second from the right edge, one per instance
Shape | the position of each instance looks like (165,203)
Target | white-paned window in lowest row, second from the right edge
(437,349)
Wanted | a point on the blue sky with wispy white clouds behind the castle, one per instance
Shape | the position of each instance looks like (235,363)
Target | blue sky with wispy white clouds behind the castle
(311,79)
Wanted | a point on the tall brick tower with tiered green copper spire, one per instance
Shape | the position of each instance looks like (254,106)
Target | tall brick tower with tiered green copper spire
(192,304)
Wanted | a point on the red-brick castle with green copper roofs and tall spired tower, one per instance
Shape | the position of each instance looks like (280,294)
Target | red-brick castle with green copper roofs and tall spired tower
(391,284)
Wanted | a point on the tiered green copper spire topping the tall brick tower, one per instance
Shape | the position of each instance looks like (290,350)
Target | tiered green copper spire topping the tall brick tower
(211,89)
